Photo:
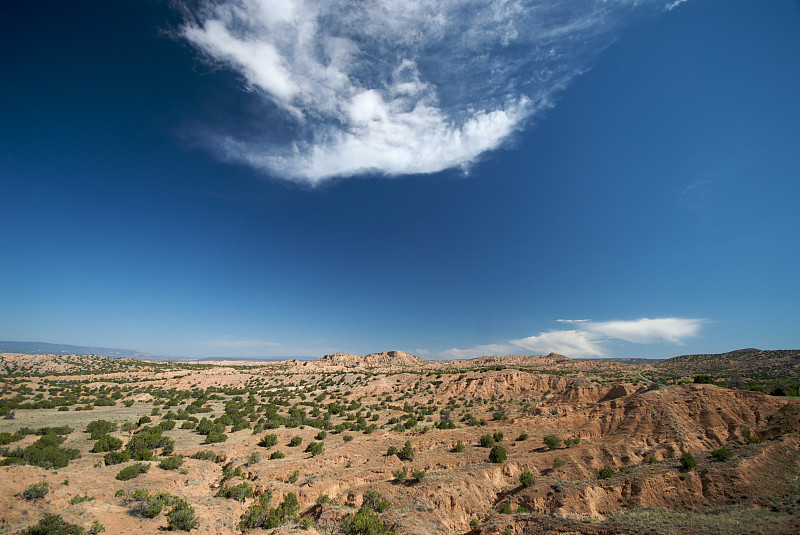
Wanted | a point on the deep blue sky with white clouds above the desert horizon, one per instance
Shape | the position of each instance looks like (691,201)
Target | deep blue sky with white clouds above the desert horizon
(281,178)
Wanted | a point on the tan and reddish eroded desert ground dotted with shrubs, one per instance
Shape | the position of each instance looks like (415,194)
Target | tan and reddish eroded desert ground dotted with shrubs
(615,469)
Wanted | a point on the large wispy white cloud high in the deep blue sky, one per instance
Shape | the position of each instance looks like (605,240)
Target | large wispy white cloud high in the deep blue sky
(394,87)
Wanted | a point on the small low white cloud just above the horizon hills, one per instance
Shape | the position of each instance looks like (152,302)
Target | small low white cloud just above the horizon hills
(590,338)
